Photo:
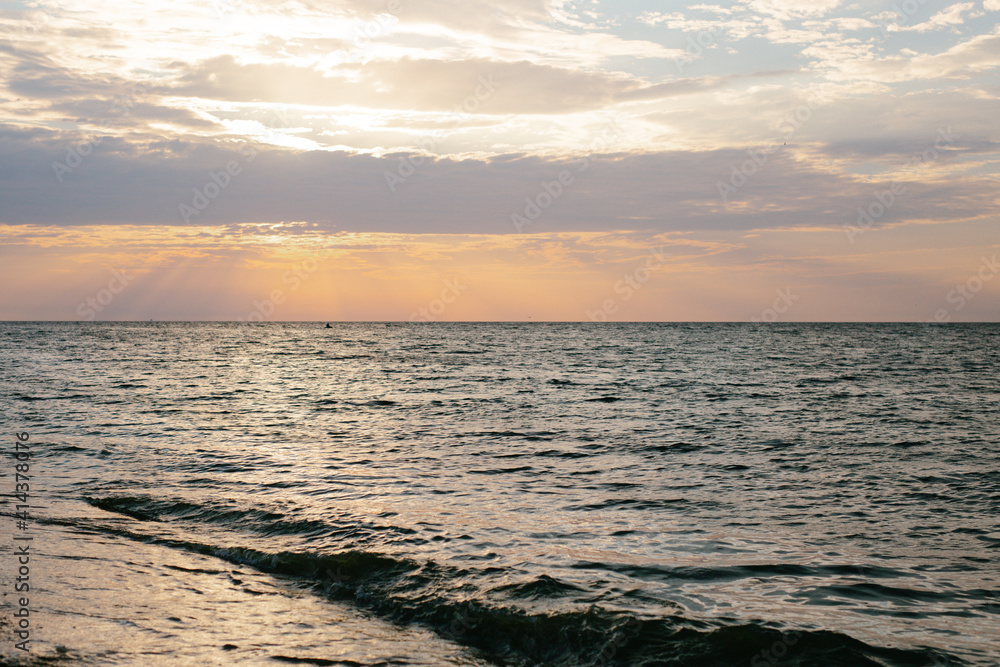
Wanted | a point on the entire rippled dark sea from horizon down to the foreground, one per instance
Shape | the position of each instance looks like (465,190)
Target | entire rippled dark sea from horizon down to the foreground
(514,494)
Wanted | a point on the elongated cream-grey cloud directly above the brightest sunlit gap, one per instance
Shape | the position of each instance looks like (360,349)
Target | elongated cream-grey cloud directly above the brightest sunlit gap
(467,86)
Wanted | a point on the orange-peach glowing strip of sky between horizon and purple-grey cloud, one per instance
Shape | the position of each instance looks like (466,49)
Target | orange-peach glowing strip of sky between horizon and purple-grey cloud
(295,272)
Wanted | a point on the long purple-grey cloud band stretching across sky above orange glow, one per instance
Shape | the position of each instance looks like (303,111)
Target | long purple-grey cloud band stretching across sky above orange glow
(145,181)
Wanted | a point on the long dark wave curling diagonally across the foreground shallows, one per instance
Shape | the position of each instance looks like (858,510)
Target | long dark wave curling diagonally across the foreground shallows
(406,591)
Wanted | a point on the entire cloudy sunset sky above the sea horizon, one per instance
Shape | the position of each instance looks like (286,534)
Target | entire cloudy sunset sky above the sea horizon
(436,160)
